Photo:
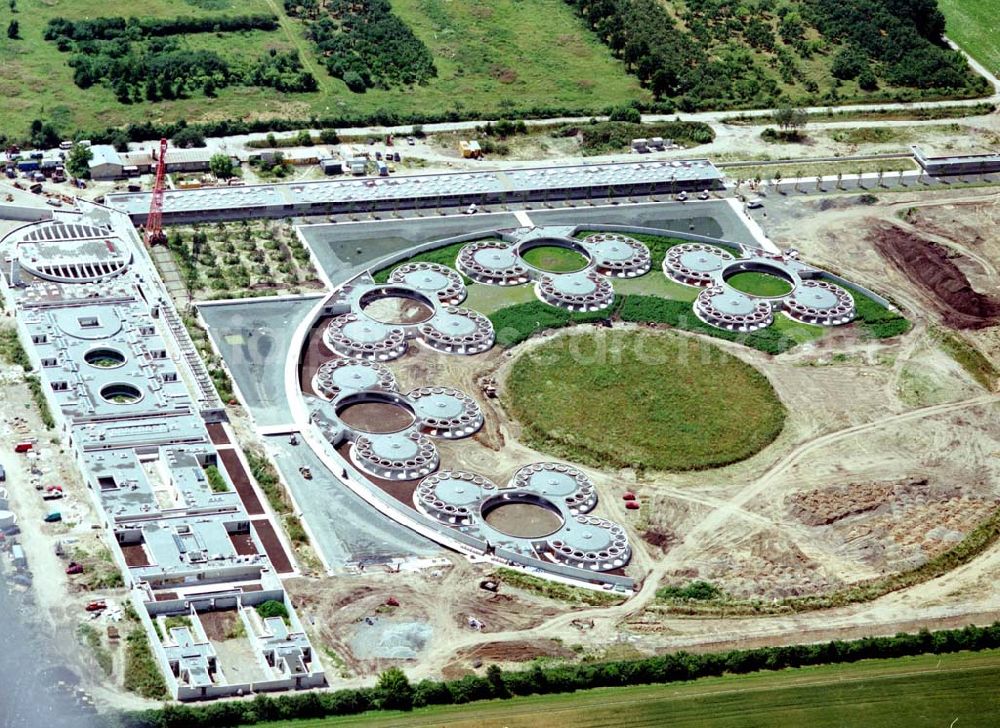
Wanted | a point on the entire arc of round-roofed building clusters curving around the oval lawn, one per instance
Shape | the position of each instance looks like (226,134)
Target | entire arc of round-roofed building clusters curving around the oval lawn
(542,515)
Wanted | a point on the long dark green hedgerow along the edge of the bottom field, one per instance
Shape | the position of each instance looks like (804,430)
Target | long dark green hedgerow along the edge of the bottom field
(393,691)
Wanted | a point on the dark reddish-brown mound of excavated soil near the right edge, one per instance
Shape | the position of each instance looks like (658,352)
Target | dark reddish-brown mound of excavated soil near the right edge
(930,266)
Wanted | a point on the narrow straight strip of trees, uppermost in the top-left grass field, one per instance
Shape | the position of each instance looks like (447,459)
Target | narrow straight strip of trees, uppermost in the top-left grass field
(137,28)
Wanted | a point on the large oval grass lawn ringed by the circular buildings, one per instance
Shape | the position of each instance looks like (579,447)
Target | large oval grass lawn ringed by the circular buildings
(652,400)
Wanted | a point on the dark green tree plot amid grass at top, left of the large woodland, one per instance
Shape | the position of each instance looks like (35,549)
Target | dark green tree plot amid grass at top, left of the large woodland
(365,44)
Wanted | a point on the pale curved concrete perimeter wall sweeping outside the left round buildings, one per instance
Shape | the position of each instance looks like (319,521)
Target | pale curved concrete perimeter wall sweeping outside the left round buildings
(389,506)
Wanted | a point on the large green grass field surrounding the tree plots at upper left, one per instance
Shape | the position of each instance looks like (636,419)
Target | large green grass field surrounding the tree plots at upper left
(493,58)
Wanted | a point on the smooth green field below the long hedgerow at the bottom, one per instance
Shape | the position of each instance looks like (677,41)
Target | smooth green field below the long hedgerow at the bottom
(929,690)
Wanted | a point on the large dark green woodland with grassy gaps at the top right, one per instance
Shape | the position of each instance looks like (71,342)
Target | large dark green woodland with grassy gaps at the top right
(700,66)
